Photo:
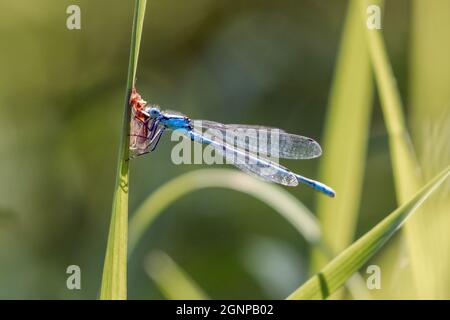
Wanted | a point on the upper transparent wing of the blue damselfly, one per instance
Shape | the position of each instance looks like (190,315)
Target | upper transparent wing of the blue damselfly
(262,140)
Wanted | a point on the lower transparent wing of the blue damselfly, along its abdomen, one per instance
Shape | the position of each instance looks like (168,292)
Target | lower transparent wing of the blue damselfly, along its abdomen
(249,163)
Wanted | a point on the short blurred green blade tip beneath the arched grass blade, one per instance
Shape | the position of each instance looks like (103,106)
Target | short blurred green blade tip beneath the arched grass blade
(172,281)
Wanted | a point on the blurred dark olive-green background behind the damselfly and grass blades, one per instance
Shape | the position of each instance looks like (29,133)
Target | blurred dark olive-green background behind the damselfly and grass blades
(61,104)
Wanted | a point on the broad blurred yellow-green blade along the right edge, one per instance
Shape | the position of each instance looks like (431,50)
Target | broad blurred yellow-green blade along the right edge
(430,128)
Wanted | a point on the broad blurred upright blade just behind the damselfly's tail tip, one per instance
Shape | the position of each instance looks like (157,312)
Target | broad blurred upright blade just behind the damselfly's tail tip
(345,142)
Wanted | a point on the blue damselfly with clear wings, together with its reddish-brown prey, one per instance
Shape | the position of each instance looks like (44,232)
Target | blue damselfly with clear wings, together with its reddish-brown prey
(148,123)
